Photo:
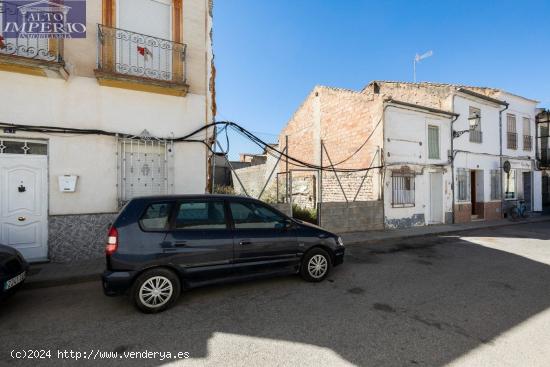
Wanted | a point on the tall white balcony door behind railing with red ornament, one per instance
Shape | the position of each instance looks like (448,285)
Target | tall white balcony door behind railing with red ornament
(143,38)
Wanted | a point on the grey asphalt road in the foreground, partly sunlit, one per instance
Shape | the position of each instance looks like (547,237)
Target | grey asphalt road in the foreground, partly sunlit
(475,299)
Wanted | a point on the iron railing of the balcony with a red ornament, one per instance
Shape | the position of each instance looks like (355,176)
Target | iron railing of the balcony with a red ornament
(138,55)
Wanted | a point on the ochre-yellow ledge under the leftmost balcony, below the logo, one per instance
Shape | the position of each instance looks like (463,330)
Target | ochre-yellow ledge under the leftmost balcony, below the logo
(25,65)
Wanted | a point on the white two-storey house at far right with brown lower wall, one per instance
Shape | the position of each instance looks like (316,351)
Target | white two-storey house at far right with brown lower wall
(493,127)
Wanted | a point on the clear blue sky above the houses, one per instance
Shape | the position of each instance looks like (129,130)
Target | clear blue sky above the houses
(271,53)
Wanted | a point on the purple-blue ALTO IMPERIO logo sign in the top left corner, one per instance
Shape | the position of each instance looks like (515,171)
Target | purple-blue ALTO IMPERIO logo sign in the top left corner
(43,19)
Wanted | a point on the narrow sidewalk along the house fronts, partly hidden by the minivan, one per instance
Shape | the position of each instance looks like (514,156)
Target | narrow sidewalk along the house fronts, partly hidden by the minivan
(54,274)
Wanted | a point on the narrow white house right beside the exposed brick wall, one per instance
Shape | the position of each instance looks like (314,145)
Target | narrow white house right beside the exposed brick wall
(417,174)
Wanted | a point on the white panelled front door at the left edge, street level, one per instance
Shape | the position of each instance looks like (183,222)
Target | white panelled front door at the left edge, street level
(23,205)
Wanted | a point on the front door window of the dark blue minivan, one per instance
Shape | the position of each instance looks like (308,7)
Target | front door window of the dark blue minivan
(254,216)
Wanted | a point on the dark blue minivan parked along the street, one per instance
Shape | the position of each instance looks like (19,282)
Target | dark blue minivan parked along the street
(161,245)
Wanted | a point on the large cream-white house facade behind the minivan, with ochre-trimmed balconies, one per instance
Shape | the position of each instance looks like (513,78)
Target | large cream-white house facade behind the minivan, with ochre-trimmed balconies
(142,76)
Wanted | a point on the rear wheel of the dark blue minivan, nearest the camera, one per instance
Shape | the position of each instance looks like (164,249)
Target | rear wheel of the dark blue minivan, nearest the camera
(156,290)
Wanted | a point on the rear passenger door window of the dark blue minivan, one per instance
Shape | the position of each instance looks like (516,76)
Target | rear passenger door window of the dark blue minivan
(200,215)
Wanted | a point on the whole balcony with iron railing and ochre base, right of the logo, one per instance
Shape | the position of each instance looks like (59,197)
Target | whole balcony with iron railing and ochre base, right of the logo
(137,61)
